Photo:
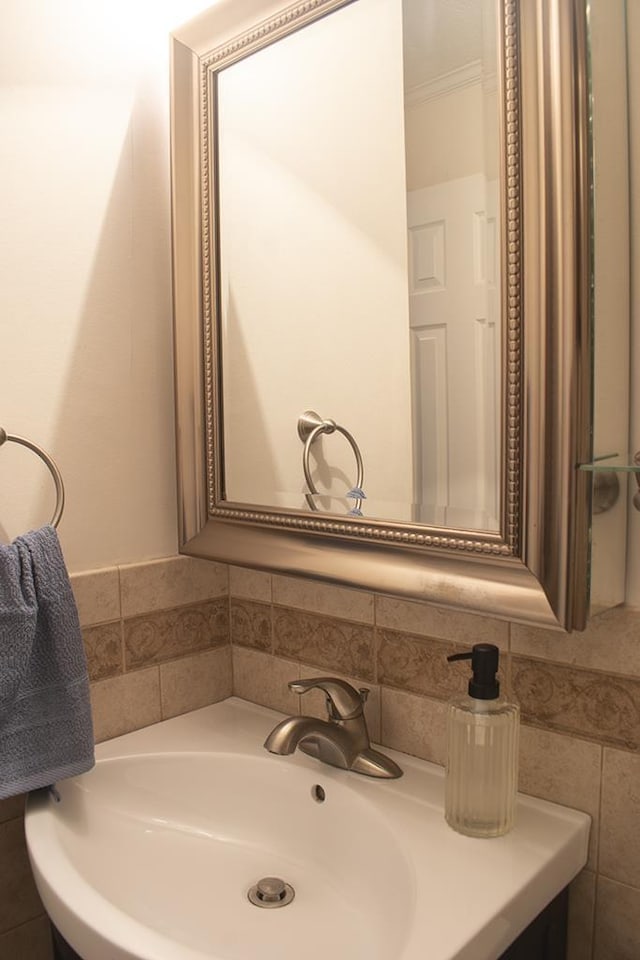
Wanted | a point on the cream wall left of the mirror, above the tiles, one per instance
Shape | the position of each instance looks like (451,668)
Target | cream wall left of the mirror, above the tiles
(85,306)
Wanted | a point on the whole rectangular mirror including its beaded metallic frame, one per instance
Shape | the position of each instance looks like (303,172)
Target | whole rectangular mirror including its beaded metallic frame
(321,427)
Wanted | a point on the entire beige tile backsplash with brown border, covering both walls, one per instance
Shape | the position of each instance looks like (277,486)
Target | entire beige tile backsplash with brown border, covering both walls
(168,636)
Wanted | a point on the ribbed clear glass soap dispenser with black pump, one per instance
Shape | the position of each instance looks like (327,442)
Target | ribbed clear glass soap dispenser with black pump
(482,751)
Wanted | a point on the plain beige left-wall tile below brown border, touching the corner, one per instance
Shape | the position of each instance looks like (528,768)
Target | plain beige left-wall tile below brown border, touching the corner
(195,681)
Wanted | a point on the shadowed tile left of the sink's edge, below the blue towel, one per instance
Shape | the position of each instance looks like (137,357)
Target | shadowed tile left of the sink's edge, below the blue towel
(19,900)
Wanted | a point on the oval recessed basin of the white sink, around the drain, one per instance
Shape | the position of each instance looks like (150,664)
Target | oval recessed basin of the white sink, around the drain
(174,841)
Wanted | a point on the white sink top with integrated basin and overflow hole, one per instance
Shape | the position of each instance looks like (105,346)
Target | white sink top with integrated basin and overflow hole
(150,855)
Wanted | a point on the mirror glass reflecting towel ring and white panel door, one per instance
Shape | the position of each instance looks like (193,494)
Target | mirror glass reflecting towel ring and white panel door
(359,282)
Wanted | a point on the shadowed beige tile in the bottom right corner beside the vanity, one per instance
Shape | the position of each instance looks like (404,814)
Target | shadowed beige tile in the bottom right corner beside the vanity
(617,935)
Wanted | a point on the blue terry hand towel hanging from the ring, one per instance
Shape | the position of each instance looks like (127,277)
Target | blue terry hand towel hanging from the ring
(46,733)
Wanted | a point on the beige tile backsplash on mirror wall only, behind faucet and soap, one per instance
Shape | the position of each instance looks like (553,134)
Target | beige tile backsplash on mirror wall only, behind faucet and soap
(579,694)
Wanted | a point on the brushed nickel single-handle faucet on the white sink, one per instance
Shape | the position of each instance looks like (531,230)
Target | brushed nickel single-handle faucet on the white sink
(342,740)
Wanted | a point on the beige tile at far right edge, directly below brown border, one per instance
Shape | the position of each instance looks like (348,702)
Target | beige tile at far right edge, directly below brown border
(619,834)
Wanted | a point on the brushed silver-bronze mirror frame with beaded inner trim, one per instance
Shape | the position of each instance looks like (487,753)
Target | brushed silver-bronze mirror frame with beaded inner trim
(535,570)
